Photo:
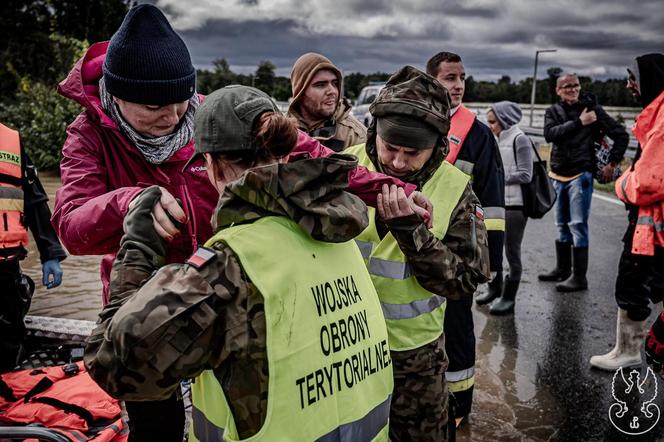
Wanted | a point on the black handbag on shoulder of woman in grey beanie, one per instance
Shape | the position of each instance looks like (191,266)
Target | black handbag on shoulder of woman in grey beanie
(539,195)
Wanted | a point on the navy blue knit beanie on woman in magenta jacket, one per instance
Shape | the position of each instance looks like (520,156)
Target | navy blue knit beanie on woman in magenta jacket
(147,62)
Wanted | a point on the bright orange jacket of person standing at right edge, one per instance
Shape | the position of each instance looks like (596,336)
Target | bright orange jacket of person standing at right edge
(643,184)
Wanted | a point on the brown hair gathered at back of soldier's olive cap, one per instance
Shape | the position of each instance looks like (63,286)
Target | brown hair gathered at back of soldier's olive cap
(276,135)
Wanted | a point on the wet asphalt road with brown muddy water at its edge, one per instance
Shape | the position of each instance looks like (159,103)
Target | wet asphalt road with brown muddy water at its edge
(533,378)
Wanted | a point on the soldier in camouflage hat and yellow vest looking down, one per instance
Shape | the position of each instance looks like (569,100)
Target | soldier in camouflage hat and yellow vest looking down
(416,269)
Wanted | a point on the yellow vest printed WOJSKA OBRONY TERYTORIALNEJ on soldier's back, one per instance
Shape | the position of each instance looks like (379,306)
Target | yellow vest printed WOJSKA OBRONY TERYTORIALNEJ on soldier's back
(323,318)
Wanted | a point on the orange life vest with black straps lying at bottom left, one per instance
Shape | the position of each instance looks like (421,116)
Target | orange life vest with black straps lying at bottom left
(72,404)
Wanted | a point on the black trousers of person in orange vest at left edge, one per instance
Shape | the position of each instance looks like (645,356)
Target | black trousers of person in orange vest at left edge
(16,291)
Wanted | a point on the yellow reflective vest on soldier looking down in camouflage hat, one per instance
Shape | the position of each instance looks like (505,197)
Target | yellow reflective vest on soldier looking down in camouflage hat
(414,316)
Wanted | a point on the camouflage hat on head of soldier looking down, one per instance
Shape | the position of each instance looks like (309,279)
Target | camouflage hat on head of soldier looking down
(414,93)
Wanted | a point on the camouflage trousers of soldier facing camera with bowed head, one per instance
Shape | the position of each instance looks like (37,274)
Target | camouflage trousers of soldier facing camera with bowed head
(420,398)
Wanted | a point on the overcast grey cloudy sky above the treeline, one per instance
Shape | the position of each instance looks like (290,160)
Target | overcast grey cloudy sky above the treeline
(494,38)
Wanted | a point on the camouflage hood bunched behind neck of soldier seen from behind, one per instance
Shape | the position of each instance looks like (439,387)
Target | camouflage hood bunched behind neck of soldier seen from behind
(310,191)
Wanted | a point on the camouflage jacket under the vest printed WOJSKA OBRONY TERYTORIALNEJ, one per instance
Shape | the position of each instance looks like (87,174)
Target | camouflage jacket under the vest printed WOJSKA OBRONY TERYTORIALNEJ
(161,328)
